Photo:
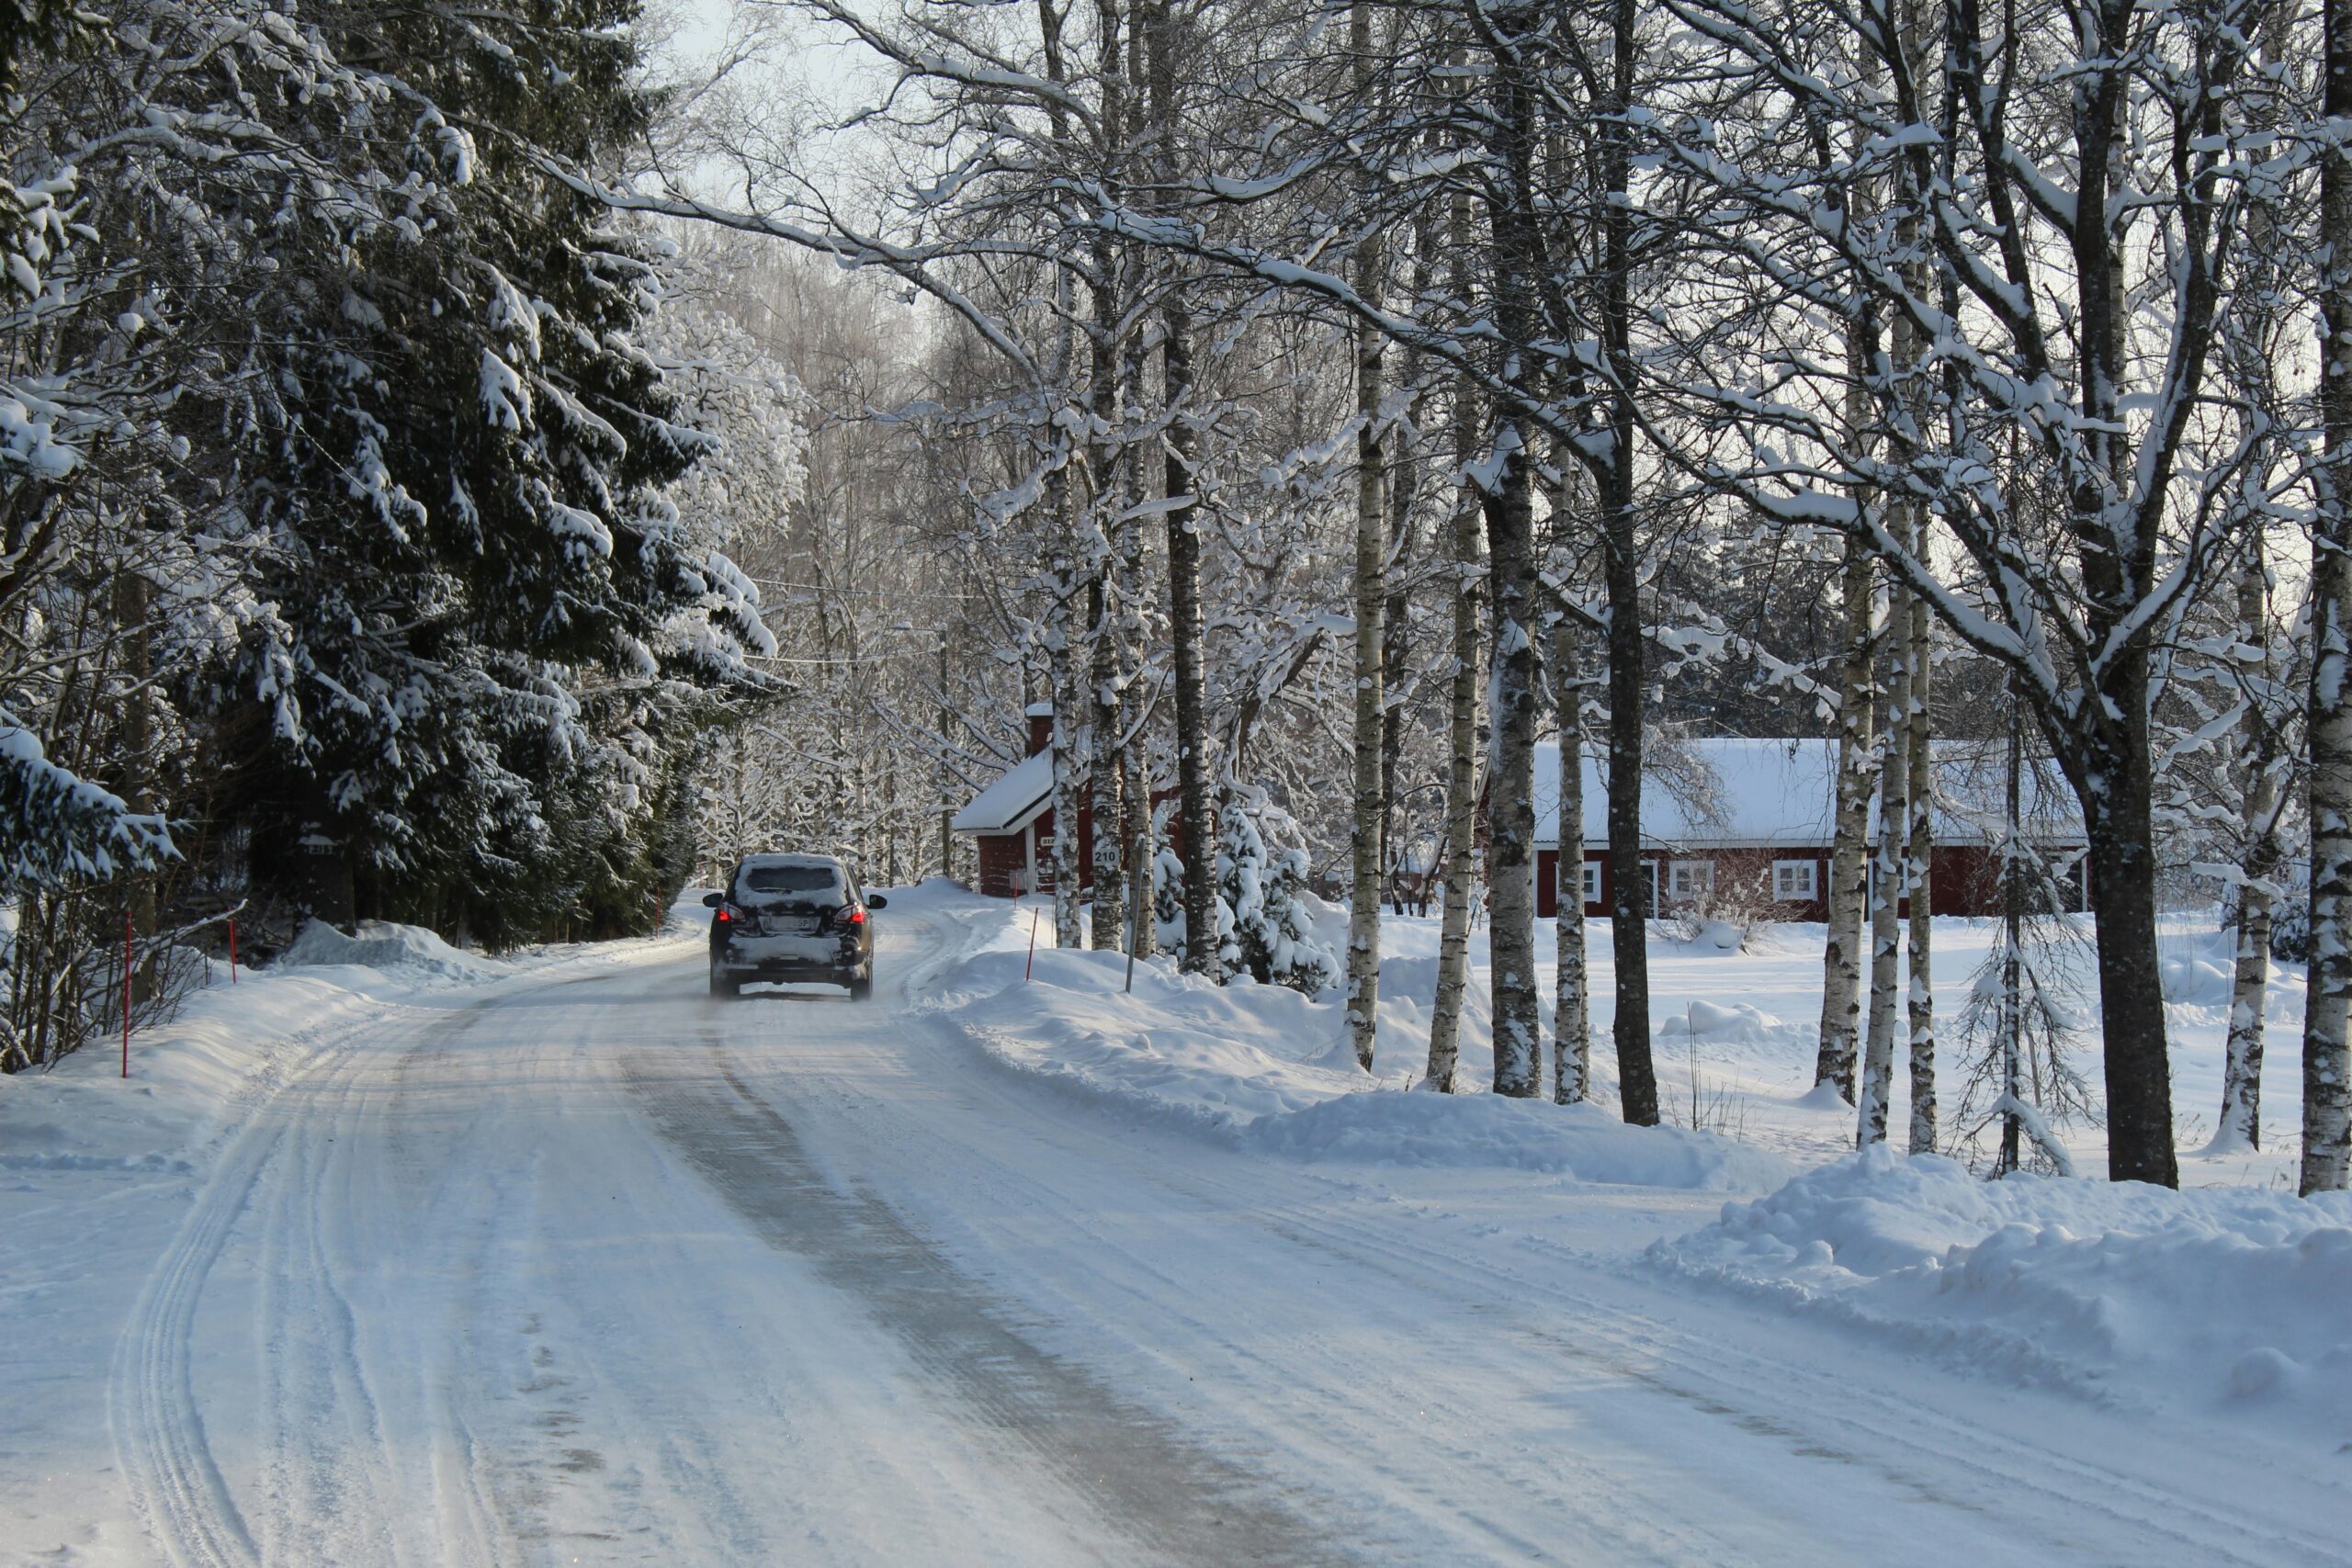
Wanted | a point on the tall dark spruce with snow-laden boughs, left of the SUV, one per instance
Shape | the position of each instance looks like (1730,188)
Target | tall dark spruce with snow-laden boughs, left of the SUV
(455,490)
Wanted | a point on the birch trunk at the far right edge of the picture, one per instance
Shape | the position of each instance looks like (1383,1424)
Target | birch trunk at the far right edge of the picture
(2327,1059)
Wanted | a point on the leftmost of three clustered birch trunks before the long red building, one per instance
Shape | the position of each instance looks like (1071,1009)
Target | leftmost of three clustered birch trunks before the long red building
(1850,847)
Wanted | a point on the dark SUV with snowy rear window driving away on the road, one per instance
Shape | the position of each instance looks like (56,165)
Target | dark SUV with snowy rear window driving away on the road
(791,918)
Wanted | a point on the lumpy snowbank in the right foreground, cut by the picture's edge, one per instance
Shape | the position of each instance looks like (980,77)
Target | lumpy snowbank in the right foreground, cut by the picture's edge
(2219,1299)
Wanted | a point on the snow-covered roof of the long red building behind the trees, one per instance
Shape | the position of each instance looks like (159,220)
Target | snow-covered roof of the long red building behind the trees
(1784,793)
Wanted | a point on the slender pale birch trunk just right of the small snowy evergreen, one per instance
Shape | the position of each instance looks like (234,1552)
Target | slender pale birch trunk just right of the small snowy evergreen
(1370,549)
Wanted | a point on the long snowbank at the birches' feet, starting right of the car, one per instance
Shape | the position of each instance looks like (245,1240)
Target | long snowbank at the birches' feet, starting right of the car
(1269,1071)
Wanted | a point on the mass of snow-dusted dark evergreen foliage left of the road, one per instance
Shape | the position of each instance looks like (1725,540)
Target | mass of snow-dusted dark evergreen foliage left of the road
(340,474)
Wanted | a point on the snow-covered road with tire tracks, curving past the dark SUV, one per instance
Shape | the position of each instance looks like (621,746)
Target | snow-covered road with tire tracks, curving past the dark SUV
(592,1268)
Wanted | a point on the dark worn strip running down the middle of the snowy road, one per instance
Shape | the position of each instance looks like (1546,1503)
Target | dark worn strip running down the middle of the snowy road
(1132,1466)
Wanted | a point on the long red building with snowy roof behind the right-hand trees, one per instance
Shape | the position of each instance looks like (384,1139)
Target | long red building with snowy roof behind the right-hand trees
(1753,822)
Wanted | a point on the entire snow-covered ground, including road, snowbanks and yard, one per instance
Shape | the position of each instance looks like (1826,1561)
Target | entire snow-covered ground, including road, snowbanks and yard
(413,1259)
